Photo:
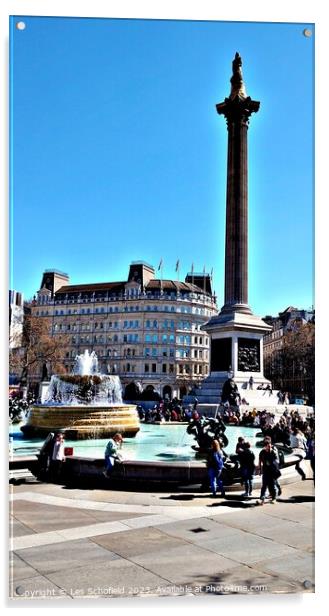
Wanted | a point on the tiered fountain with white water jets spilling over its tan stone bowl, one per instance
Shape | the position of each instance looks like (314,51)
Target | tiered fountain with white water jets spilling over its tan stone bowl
(83,405)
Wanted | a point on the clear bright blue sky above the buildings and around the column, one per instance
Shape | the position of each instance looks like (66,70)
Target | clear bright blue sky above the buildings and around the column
(118,153)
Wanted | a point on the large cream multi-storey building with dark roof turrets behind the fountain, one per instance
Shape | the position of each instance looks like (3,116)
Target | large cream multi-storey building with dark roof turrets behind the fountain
(145,329)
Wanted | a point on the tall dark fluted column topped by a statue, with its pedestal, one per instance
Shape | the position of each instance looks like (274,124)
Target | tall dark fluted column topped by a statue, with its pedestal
(236,333)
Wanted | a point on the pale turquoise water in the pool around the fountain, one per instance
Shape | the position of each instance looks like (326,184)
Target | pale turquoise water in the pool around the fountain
(152,443)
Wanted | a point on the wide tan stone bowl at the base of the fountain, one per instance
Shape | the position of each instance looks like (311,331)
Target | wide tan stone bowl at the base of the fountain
(82,421)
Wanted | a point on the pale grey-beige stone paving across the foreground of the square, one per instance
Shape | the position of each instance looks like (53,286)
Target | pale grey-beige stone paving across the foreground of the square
(74,543)
